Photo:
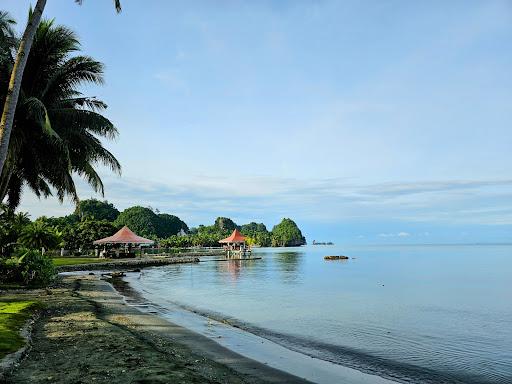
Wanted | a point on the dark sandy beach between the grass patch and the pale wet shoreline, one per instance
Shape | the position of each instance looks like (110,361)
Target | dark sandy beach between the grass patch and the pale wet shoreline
(87,334)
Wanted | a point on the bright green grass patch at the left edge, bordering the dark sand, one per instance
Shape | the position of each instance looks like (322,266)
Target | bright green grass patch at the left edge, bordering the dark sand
(13,315)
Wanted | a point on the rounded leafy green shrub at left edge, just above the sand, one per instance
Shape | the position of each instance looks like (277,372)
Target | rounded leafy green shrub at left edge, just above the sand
(28,267)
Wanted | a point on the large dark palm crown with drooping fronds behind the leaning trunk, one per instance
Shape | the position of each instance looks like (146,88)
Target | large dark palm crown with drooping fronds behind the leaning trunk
(56,129)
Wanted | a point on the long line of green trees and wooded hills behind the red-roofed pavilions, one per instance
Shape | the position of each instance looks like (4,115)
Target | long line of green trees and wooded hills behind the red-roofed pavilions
(94,219)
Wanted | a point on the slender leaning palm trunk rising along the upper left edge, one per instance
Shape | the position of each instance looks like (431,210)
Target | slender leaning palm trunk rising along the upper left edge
(15,82)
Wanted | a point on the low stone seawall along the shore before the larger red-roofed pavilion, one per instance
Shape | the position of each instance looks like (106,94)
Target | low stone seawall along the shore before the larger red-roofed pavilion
(130,263)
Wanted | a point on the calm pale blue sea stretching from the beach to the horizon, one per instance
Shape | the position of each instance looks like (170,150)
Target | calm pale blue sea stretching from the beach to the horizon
(416,314)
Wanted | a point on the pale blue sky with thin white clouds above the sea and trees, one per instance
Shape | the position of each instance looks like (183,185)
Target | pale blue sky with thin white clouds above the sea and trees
(364,121)
